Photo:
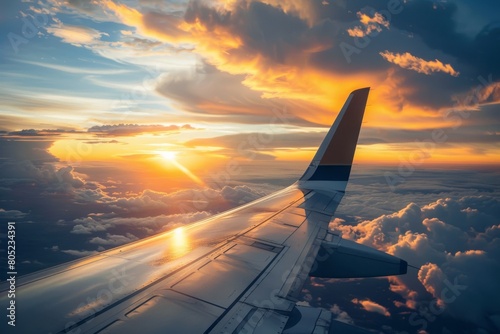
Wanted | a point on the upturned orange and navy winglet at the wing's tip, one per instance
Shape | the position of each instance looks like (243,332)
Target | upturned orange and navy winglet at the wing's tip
(331,166)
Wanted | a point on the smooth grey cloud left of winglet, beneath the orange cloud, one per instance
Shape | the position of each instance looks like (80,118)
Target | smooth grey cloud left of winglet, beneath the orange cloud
(208,92)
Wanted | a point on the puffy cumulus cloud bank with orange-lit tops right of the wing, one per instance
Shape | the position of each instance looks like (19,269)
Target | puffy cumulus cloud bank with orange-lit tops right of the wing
(454,242)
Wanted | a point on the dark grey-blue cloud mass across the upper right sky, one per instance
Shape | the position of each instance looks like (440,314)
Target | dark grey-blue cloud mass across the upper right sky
(279,36)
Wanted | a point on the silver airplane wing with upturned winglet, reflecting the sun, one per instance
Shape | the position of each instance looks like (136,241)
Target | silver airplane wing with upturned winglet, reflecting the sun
(240,271)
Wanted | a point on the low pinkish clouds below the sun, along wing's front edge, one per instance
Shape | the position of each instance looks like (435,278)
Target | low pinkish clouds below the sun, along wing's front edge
(152,212)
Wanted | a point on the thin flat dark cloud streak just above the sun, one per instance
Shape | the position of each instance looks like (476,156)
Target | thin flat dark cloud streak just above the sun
(135,129)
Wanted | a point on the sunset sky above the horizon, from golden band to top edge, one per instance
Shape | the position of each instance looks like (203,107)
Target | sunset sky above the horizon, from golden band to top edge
(106,80)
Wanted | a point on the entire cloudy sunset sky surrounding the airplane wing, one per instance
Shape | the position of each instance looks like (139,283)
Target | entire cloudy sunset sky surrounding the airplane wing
(121,119)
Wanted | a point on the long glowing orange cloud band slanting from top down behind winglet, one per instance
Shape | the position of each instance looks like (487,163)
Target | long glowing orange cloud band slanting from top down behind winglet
(280,70)
